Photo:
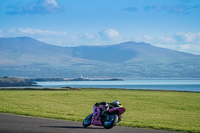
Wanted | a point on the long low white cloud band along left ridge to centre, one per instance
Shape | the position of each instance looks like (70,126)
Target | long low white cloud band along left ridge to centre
(104,37)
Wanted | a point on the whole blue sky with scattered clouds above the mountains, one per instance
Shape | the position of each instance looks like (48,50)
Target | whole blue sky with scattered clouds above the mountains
(172,24)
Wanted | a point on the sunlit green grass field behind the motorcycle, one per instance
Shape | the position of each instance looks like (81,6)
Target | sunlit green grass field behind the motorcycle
(176,111)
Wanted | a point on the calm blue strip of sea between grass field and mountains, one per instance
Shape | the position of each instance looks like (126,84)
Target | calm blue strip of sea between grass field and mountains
(147,84)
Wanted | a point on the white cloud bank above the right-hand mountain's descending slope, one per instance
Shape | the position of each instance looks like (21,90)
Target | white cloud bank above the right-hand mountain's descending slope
(180,41)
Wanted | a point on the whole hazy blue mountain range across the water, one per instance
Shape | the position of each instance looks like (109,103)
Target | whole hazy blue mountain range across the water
(27,57)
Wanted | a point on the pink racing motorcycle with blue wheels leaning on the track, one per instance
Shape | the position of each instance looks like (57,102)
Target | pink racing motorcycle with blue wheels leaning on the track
(107,119)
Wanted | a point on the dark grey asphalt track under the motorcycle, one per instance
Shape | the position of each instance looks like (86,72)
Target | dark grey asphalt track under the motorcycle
(24,124)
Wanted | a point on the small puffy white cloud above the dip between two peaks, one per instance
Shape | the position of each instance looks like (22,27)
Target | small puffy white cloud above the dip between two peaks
(109,34)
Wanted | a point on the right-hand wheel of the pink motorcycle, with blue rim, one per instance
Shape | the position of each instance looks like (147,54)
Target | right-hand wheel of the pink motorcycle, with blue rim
(112,121)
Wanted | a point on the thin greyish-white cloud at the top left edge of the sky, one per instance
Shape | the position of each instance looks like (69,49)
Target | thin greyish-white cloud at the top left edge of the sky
(35,7)
